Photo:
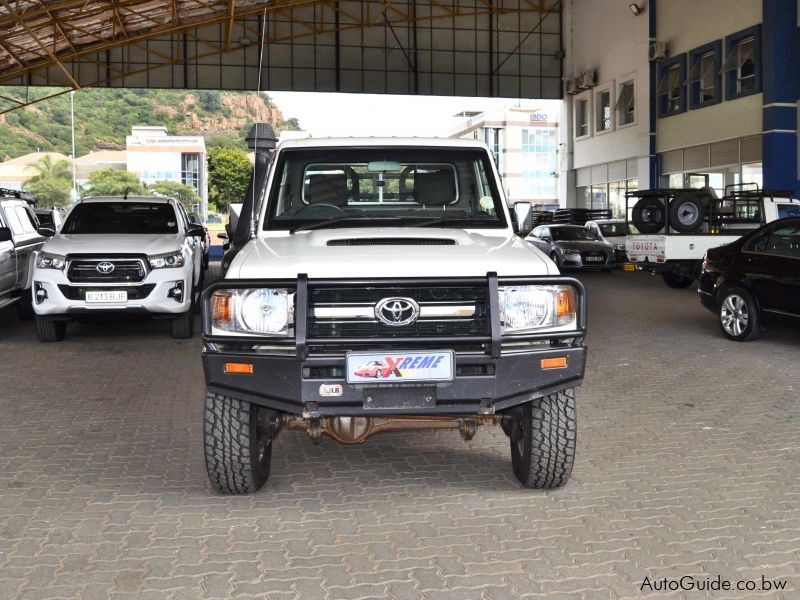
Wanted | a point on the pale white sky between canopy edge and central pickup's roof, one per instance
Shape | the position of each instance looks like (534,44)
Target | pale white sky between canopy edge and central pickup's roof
(327,114)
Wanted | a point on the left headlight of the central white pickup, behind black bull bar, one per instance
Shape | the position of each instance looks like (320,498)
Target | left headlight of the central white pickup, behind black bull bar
(262,311)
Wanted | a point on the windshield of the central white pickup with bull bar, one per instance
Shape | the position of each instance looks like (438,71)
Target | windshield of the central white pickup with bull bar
(368,187)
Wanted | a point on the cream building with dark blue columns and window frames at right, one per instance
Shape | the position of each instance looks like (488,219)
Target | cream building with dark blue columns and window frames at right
(655,98)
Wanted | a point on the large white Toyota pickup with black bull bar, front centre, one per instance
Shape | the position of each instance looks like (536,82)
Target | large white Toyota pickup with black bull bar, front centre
(384,289)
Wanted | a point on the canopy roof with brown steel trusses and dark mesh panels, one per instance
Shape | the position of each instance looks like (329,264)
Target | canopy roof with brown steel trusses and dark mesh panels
(444,47)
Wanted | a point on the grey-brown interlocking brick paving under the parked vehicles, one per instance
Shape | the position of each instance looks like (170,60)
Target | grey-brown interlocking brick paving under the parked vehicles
(688,462)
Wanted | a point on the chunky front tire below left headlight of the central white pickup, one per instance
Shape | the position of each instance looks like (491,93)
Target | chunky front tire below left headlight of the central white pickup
(238,444)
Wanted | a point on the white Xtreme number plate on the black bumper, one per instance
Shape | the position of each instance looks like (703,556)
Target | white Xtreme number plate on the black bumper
(398,367)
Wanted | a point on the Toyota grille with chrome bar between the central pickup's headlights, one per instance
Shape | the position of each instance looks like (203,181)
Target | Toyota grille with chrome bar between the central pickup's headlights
(452,311)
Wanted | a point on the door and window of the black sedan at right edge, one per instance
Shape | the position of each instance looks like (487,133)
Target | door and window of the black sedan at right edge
(772,264)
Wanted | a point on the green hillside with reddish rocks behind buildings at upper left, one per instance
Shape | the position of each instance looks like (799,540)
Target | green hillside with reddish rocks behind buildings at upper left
(103,117)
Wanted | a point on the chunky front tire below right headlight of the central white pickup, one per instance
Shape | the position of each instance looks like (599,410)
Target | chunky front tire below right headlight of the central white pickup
(543,441)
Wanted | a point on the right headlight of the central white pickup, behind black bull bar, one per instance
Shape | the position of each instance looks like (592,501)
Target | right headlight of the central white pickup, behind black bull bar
(527,308)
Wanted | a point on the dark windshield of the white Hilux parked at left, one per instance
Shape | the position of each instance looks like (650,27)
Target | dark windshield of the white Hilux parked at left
(121,217)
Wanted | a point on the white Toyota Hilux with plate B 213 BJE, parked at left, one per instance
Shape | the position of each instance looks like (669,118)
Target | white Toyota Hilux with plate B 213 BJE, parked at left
(119,255)
